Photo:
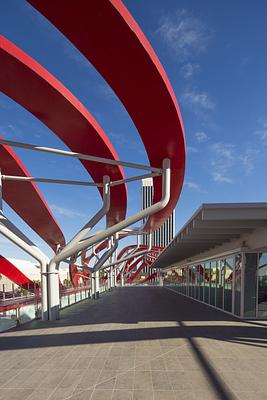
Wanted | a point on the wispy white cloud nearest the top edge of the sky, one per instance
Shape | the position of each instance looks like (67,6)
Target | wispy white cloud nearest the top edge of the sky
(185,34)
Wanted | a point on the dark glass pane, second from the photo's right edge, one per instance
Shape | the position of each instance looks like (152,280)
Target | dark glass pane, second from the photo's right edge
(250,284)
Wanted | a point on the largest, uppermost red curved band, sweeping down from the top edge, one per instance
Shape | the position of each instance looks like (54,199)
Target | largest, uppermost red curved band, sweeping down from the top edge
(106,33)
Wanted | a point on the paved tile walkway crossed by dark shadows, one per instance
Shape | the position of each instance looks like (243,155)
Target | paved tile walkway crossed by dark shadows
(139,344)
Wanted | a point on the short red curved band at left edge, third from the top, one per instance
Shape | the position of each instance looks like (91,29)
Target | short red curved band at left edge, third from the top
(27,201)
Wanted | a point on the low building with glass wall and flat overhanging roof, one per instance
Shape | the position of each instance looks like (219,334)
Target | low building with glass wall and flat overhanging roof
(220,258)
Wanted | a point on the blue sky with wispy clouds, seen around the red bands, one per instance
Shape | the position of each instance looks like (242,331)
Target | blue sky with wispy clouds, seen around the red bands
(214,54)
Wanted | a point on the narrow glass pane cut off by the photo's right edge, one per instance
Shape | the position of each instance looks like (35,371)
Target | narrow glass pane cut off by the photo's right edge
(262,286)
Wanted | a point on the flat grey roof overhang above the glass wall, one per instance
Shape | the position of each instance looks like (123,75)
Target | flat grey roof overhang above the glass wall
(212,225)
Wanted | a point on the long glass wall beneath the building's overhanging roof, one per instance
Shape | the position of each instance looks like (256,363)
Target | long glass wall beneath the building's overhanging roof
(236,283)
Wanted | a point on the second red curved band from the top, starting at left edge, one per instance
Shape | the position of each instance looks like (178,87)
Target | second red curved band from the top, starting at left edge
(33,87)
